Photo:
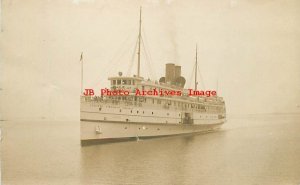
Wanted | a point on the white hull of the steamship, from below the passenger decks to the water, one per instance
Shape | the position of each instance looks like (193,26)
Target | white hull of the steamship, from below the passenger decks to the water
(108,127)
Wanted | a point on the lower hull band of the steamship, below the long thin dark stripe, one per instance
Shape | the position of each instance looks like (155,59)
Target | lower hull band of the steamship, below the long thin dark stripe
(101,132)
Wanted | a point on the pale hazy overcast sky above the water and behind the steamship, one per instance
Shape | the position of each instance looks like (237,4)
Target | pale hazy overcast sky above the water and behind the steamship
(250,48)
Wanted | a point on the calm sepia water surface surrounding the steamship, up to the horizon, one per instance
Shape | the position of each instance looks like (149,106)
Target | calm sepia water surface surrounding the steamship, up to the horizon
(251,150)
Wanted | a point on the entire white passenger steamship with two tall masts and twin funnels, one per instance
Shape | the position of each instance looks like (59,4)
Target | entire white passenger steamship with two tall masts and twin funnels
(119,118)
